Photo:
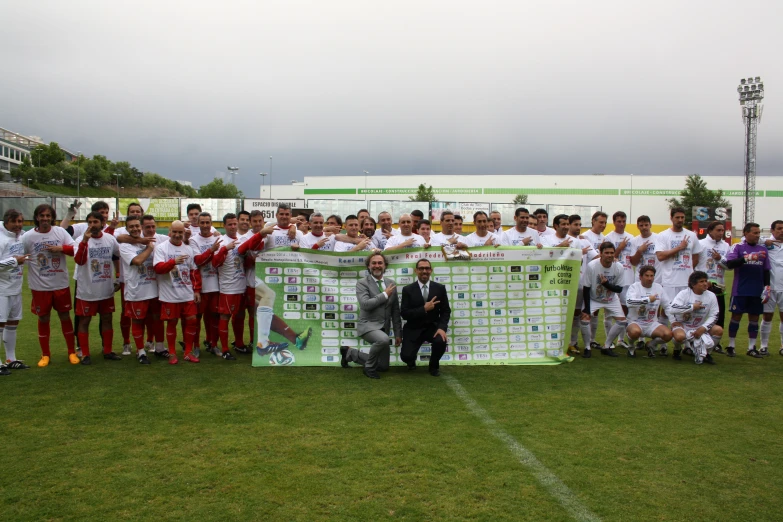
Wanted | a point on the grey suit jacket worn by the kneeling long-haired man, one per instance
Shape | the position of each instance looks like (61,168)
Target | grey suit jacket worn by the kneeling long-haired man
(377,312)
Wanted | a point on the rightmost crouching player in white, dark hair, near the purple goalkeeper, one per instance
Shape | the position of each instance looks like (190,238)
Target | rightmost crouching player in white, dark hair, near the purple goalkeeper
(693,314)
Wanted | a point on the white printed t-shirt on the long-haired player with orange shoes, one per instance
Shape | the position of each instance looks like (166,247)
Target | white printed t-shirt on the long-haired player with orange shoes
(47,271)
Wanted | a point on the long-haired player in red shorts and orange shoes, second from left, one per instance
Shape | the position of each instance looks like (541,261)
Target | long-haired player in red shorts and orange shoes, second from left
(47,277)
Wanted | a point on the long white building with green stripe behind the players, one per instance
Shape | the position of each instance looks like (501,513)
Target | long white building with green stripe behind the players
(636,195)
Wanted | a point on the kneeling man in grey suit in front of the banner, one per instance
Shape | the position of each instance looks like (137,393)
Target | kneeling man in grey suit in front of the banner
(379,308)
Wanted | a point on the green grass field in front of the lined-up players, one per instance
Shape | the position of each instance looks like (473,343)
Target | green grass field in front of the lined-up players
(613,439)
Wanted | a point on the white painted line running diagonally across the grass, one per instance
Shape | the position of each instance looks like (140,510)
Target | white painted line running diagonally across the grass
(543,475)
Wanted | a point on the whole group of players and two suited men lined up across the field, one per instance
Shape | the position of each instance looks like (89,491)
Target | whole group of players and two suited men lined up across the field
(665,287)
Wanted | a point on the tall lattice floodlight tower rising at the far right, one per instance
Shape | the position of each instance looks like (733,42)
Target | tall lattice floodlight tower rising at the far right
(751,92)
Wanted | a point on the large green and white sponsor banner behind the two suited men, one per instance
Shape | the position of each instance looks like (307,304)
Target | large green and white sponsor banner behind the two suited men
(509,305)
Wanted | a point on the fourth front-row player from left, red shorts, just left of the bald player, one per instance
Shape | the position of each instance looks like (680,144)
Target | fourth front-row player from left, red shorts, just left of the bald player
(141,286)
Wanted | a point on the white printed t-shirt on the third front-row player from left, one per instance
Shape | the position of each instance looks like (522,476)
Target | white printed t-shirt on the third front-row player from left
(96,277)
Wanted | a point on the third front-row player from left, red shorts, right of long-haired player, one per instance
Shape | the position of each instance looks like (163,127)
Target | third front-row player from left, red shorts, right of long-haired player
(95,252)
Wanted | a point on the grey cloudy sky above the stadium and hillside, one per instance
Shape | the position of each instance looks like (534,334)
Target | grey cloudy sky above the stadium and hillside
(406,87)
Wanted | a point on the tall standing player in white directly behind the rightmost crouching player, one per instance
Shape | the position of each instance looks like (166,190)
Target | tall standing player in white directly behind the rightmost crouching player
(677,250)
